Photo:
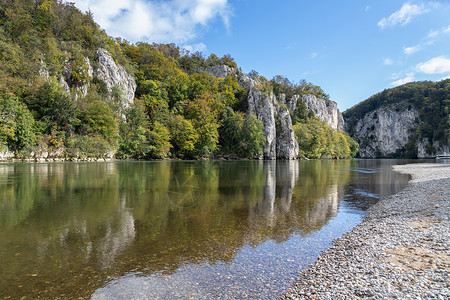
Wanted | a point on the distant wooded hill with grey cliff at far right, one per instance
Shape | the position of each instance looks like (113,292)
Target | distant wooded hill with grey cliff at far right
(412,120)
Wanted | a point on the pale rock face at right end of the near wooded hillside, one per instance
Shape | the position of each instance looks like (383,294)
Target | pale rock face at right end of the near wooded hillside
(326,111)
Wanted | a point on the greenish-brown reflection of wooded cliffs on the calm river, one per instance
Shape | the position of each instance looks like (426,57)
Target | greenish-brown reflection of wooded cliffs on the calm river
(68,229)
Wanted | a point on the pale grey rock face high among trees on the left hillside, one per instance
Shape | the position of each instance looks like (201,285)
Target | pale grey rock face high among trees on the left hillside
(113,75)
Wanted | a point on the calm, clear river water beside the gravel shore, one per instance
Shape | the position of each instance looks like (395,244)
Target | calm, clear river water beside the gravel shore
(203,229)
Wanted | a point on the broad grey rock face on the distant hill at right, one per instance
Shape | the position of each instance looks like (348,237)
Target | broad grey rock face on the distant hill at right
(384,131)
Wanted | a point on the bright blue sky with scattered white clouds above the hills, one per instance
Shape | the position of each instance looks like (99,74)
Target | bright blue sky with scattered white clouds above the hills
(352,49)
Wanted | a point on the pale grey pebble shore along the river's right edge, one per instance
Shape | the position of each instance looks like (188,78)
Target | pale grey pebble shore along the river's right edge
(401,250)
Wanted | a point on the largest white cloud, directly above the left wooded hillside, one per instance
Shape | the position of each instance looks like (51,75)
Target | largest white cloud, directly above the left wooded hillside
(175,21)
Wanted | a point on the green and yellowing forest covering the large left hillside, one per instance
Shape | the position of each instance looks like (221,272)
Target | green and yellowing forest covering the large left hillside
(179,110)
